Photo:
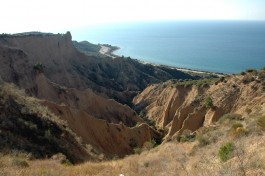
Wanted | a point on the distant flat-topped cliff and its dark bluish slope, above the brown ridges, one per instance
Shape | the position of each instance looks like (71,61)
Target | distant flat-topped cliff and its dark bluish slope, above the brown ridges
(63,64)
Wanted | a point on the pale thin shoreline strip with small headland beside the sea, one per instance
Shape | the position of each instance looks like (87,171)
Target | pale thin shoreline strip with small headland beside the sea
(108,50)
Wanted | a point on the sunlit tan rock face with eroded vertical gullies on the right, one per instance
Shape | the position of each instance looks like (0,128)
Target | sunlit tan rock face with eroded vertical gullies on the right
(182,107)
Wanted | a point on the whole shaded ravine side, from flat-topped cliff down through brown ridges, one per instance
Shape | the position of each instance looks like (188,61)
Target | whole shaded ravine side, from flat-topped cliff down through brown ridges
(77,88)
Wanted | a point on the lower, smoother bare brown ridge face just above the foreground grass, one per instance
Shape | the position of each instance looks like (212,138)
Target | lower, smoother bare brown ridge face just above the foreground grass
(112,139)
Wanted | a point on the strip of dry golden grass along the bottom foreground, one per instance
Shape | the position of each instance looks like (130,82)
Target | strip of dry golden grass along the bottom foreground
(168,159)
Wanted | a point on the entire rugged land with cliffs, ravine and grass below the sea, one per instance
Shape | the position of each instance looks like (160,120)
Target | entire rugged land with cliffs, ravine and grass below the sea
(64,103)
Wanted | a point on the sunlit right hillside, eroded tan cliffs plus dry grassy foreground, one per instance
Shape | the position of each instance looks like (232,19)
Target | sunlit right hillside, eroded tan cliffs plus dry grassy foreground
(227,142)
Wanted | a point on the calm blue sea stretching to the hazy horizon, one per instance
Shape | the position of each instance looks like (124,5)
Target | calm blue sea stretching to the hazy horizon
(218,46)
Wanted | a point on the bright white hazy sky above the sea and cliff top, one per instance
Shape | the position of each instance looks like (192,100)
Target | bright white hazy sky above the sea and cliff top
(60,16)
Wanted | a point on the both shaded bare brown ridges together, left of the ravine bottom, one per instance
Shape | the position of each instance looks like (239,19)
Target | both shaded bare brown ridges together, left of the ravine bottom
(102,123)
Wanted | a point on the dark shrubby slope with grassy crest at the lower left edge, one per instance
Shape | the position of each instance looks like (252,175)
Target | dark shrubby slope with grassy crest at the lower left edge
(27,126)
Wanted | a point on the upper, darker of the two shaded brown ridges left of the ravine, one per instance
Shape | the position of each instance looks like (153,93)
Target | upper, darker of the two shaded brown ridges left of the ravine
(87,101)
